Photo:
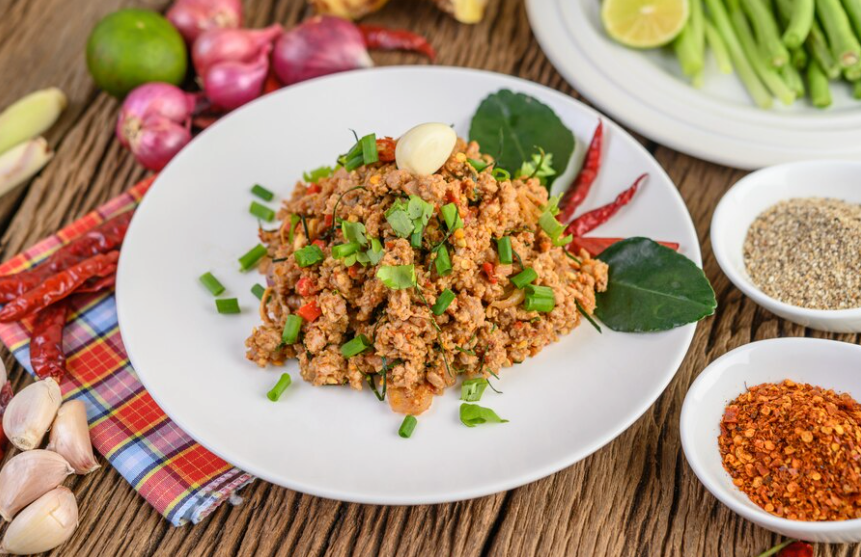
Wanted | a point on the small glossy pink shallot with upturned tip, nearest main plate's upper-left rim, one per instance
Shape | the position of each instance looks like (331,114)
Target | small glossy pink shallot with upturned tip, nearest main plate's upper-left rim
(229,85)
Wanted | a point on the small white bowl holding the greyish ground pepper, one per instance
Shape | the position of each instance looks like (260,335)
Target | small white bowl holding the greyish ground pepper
(758,191)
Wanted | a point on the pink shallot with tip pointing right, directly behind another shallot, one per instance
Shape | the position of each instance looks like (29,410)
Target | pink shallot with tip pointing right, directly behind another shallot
(230,45)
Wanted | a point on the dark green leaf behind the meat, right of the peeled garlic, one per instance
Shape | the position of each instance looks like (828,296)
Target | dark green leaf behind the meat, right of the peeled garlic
(510,126)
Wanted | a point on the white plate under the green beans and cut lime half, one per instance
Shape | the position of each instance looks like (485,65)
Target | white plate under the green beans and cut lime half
(718,123)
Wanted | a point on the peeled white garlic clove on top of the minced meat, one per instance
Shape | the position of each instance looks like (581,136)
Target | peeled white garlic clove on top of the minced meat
(425,148)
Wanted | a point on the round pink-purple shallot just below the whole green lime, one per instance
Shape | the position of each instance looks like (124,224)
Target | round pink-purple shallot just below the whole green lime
(154,123)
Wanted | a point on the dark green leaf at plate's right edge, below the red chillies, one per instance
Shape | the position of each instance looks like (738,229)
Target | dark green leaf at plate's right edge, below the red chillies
(652,288)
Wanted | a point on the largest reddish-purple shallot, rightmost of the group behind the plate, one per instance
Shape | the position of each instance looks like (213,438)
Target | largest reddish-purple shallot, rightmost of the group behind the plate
(320,46)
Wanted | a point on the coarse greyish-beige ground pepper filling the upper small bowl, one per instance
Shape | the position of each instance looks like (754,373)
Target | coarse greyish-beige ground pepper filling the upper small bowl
(807,252)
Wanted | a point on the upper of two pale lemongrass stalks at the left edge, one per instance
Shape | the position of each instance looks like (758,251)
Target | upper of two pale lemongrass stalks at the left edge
(30,116)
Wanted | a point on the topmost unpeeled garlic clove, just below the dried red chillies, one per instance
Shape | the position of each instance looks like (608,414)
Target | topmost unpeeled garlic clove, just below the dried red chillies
(31,412)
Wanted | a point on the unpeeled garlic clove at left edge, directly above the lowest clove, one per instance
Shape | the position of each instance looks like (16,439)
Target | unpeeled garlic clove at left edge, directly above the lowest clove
(27,476)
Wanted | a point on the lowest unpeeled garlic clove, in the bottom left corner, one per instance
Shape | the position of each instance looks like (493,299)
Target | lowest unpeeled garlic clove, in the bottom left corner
(45,524)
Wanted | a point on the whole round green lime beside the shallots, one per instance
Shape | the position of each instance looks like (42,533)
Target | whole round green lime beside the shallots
(131,47)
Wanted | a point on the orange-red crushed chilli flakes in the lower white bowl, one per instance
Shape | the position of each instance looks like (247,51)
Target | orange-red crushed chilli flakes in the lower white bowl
(795,450)
